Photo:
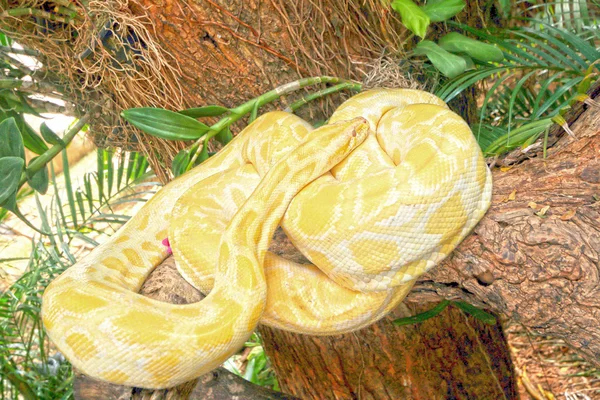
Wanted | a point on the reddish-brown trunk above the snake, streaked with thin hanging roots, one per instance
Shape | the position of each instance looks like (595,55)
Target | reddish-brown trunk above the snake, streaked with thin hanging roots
(231,51)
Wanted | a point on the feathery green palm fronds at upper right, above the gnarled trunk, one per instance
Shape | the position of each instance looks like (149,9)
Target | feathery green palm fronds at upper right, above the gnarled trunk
(545,69)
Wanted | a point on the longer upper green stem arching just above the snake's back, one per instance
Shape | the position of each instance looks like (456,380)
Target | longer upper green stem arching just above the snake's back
(239,111)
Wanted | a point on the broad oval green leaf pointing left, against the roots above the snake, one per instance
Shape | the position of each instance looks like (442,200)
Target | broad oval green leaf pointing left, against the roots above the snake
(164,123)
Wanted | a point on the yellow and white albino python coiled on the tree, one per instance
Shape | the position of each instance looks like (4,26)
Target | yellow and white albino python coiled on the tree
(379,195)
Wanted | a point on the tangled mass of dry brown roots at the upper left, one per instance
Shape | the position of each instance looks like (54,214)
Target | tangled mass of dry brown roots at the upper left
(100,53)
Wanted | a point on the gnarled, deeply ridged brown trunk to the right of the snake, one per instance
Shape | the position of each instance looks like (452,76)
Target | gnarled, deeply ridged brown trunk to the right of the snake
(538,268)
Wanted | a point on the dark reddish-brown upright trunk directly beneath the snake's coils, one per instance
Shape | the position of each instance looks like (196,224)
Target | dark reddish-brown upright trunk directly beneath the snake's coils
(451,356)
